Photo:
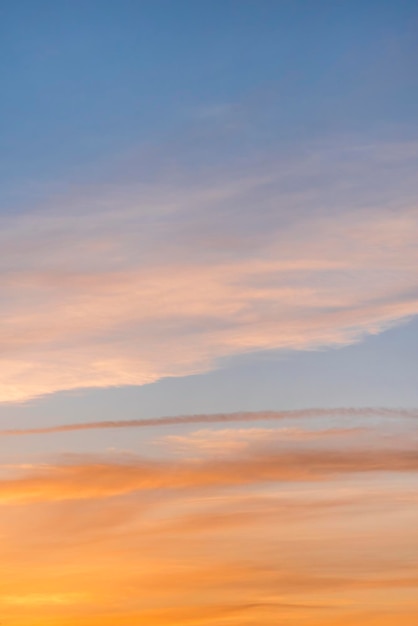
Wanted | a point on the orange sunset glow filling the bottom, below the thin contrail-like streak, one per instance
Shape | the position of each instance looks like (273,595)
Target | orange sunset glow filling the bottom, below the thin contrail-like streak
(215,536)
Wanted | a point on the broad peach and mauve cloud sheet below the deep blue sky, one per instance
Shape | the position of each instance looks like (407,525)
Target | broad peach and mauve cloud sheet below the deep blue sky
(123,284)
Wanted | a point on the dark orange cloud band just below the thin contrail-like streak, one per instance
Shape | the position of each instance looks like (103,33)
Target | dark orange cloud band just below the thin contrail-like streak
(98,479)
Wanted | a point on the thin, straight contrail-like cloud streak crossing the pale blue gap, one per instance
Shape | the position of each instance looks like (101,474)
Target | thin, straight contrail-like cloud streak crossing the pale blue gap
(218,418)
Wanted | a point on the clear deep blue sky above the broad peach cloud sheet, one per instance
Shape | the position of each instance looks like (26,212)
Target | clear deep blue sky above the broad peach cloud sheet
(85,81)
